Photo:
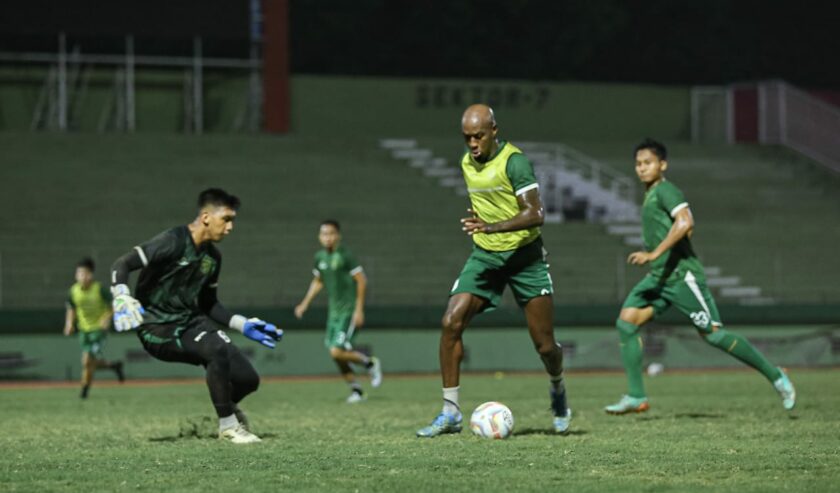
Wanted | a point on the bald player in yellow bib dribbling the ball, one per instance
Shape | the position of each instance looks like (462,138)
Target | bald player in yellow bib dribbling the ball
(505,215)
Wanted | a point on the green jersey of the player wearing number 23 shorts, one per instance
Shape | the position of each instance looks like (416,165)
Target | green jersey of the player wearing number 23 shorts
(662,202)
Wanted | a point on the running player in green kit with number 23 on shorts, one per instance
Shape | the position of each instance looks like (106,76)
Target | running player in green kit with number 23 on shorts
(676,278)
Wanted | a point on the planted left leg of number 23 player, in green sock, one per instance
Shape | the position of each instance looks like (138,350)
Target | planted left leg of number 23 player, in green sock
(641,305)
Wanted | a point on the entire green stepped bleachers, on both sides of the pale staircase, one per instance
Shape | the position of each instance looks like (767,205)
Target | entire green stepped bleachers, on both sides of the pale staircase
(759,216)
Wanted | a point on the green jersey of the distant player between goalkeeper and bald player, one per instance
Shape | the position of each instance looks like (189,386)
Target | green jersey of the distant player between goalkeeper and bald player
(336,270)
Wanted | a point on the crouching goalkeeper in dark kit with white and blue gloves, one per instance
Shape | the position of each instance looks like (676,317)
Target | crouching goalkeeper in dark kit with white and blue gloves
(175,310)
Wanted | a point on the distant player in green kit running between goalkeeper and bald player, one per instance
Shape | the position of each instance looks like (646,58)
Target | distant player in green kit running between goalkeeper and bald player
(336,269)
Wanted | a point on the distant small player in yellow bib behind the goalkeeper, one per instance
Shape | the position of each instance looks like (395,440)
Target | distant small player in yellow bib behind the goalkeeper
(89,312)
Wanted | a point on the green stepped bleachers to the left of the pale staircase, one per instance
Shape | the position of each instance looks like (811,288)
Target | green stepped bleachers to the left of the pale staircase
(70,196)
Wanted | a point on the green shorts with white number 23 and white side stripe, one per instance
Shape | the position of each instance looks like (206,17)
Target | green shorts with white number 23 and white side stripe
(689,295)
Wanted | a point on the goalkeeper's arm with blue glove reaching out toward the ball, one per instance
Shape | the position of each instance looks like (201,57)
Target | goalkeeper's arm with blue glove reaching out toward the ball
(253,328)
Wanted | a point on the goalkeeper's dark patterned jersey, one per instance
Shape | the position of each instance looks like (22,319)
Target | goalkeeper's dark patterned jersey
(178,280)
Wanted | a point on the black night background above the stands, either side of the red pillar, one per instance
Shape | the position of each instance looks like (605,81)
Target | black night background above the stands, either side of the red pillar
(658,41)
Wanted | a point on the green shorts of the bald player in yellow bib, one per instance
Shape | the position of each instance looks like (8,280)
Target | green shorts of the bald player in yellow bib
(486,273)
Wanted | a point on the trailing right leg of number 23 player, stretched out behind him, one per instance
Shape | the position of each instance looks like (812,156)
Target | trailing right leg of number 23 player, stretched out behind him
(693,298)
